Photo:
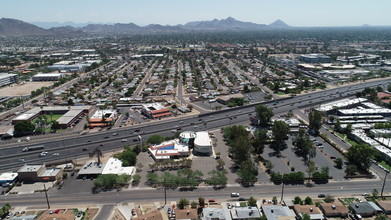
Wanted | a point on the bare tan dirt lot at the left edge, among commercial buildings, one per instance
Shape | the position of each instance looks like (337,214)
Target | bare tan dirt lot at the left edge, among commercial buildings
(22,89)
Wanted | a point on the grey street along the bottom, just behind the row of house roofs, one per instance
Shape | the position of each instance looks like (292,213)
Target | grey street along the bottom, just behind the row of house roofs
(151,195)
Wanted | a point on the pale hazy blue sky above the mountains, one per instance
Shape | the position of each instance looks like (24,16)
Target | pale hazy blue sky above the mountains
(143,12)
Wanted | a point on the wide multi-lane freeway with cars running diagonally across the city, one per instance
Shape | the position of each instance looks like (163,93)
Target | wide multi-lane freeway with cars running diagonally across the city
(71,146)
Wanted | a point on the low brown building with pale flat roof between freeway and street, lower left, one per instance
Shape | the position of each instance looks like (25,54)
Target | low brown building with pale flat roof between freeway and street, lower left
(38,173)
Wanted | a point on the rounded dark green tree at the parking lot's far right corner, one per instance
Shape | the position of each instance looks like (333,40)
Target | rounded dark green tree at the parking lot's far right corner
(360,155)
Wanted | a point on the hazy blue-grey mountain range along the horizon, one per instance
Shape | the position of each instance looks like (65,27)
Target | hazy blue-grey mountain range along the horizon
(12,27)
